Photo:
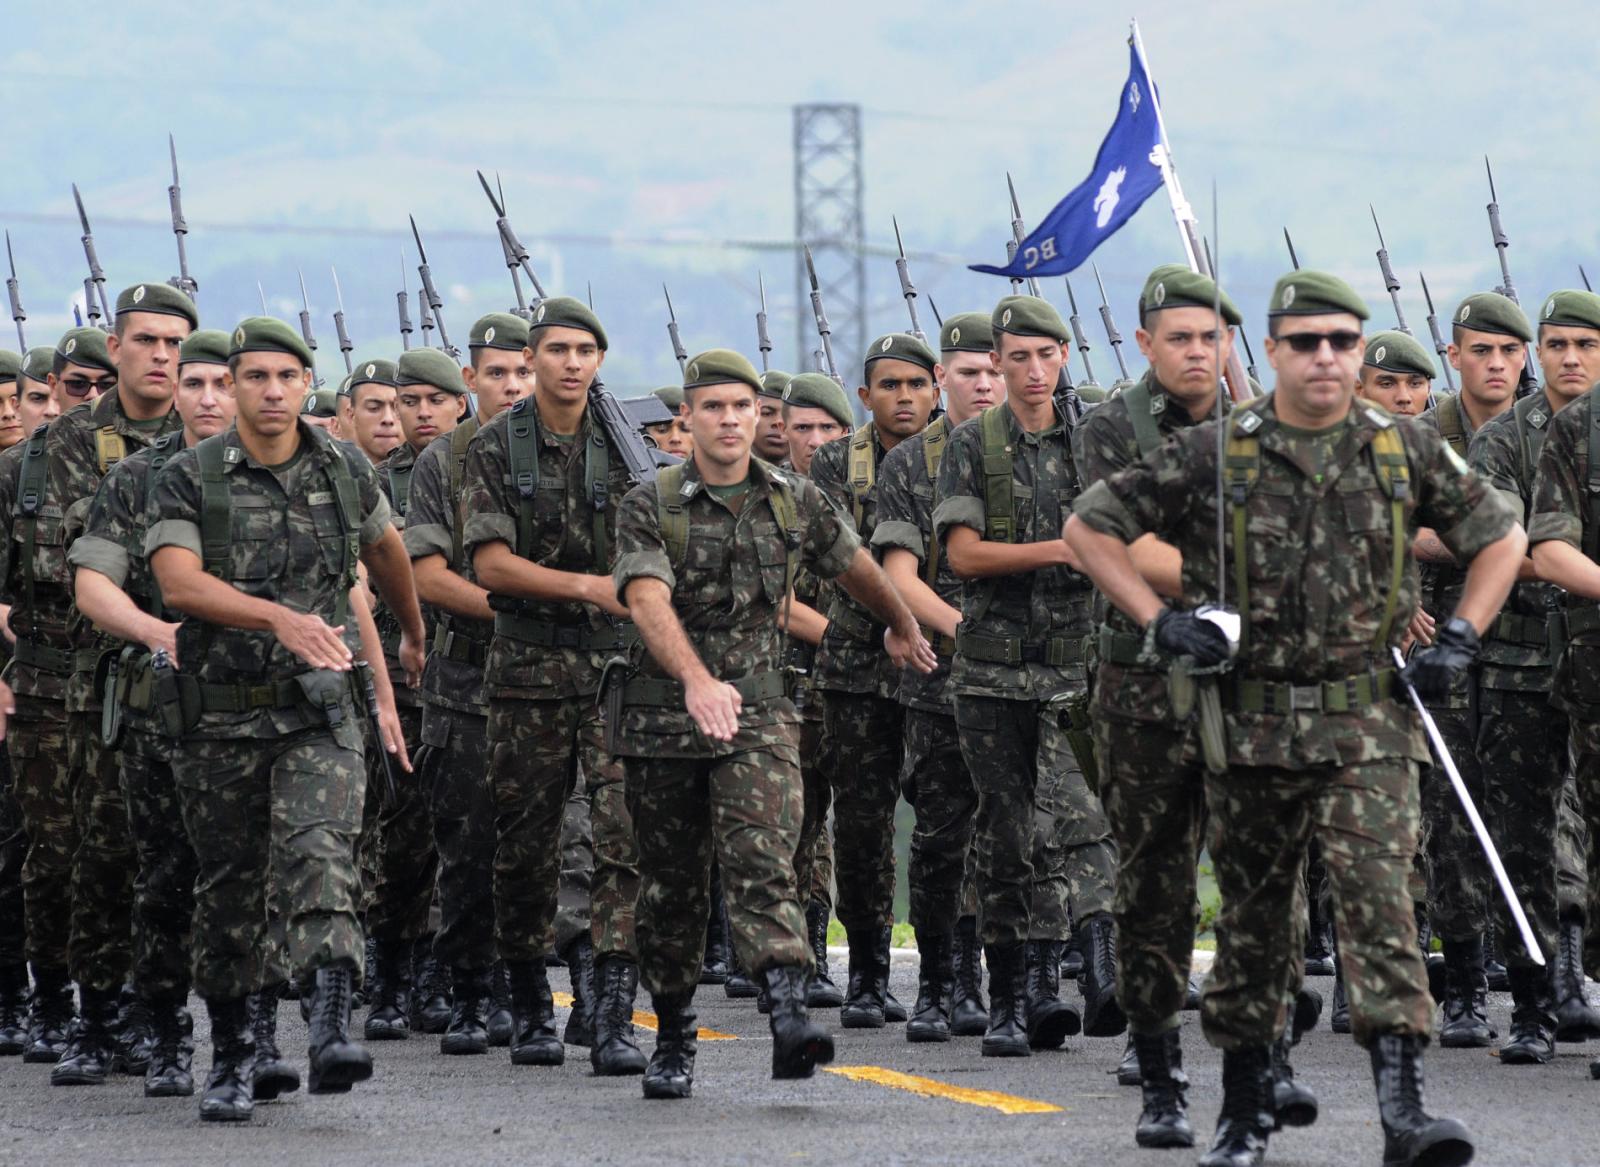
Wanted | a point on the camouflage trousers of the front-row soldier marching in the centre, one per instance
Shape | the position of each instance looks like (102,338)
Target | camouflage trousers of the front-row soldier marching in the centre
(743,811)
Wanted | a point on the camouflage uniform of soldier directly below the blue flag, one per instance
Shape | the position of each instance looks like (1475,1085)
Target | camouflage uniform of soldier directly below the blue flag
(1042,836)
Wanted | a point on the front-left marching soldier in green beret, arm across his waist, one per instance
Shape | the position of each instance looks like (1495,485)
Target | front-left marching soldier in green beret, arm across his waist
(255,537)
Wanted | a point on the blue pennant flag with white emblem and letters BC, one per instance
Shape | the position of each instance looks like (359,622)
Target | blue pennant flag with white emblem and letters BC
(1126,175)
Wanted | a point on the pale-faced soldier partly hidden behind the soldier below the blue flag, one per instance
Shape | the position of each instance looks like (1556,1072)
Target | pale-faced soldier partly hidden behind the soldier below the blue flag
(935,777)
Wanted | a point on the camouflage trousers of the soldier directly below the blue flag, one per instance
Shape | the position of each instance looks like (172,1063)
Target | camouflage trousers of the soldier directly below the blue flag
(1044,844)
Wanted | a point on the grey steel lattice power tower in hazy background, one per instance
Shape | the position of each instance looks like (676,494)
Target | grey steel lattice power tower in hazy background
(828,217)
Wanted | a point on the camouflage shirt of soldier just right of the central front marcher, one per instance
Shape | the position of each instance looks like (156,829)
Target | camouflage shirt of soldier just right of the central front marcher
(852,659)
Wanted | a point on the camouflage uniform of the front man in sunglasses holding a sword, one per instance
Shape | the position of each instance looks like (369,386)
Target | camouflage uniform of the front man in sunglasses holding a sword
(1318,742)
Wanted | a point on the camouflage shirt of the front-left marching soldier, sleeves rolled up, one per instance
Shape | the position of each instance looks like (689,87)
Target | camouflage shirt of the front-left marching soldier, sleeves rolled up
(287,548)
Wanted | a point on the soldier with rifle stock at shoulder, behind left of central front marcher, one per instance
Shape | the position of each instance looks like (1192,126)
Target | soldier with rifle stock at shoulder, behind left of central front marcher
(542,489)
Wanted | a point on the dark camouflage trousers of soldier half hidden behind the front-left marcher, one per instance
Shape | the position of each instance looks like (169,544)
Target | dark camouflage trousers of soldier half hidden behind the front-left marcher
(164,889)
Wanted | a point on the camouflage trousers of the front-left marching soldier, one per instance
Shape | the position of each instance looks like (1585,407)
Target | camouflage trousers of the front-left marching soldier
(282,812)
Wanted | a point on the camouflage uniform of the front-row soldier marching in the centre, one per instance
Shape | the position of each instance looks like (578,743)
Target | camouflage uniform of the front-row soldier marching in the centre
(695,798)
